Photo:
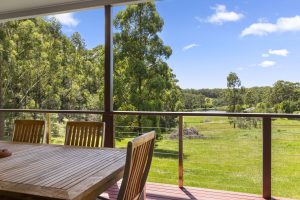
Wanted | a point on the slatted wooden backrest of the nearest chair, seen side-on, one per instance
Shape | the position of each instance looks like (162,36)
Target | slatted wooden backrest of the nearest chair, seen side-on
(138,162)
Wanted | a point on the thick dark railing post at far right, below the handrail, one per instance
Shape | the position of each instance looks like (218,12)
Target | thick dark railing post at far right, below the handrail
(267,152)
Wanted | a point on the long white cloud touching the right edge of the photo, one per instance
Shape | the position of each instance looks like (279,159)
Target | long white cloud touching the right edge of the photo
(283,24)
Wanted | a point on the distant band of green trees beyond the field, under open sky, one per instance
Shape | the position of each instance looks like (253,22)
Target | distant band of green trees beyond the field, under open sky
(283,97)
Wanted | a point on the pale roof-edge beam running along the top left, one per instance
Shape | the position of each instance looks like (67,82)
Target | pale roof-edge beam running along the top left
(75,5)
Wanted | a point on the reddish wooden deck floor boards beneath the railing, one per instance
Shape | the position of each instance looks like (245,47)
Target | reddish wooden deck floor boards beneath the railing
(157,191)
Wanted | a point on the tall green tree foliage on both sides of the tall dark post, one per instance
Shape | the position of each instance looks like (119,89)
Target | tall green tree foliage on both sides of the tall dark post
(41,68)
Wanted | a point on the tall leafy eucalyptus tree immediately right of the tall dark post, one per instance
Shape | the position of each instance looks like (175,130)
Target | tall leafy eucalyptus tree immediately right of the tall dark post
(142,55)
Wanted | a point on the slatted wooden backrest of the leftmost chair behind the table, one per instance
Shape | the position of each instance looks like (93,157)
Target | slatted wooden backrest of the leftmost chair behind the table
(31,131)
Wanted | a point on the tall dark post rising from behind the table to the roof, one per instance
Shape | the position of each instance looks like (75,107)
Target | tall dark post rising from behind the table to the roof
(108,118)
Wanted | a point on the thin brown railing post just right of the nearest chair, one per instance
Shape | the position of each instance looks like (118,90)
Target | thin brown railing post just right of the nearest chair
(180,152)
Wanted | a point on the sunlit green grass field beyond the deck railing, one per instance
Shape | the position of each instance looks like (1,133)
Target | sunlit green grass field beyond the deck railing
(229,159)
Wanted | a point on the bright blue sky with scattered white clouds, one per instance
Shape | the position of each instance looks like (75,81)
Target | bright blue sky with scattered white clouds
(257,39)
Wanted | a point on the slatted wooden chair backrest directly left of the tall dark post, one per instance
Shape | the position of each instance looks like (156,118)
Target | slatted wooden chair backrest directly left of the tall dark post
(86,134)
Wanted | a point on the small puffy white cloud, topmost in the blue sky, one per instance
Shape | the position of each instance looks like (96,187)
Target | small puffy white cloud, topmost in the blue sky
(221,15)
